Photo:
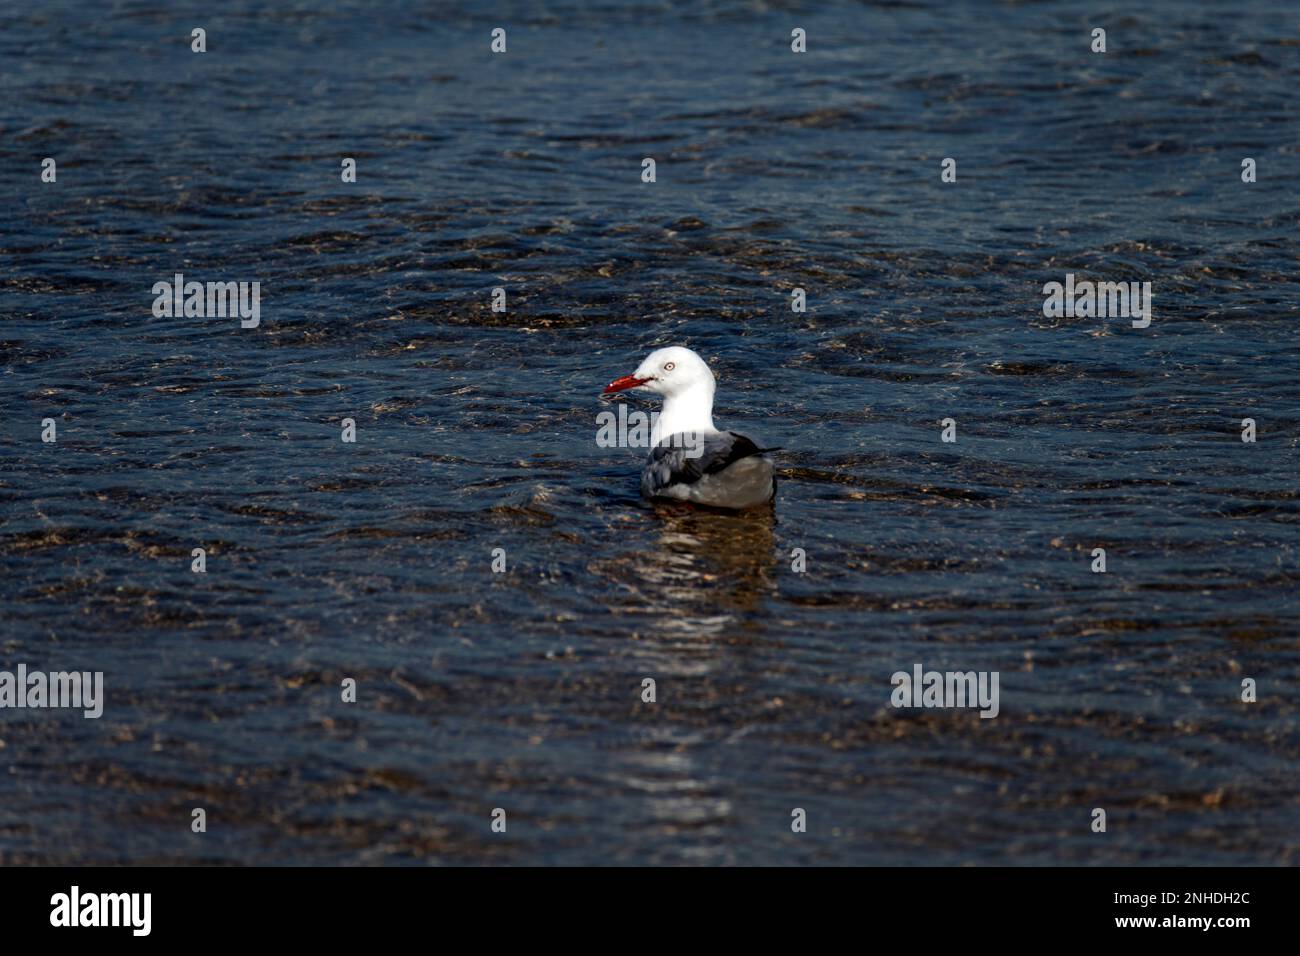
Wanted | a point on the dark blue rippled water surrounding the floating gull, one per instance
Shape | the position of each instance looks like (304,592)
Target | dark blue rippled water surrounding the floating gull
(476,431)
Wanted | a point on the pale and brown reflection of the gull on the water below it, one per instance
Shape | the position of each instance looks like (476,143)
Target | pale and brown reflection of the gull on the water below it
(703,582)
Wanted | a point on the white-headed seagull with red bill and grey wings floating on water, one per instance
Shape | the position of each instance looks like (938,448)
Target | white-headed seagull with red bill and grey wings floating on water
(690,458)
